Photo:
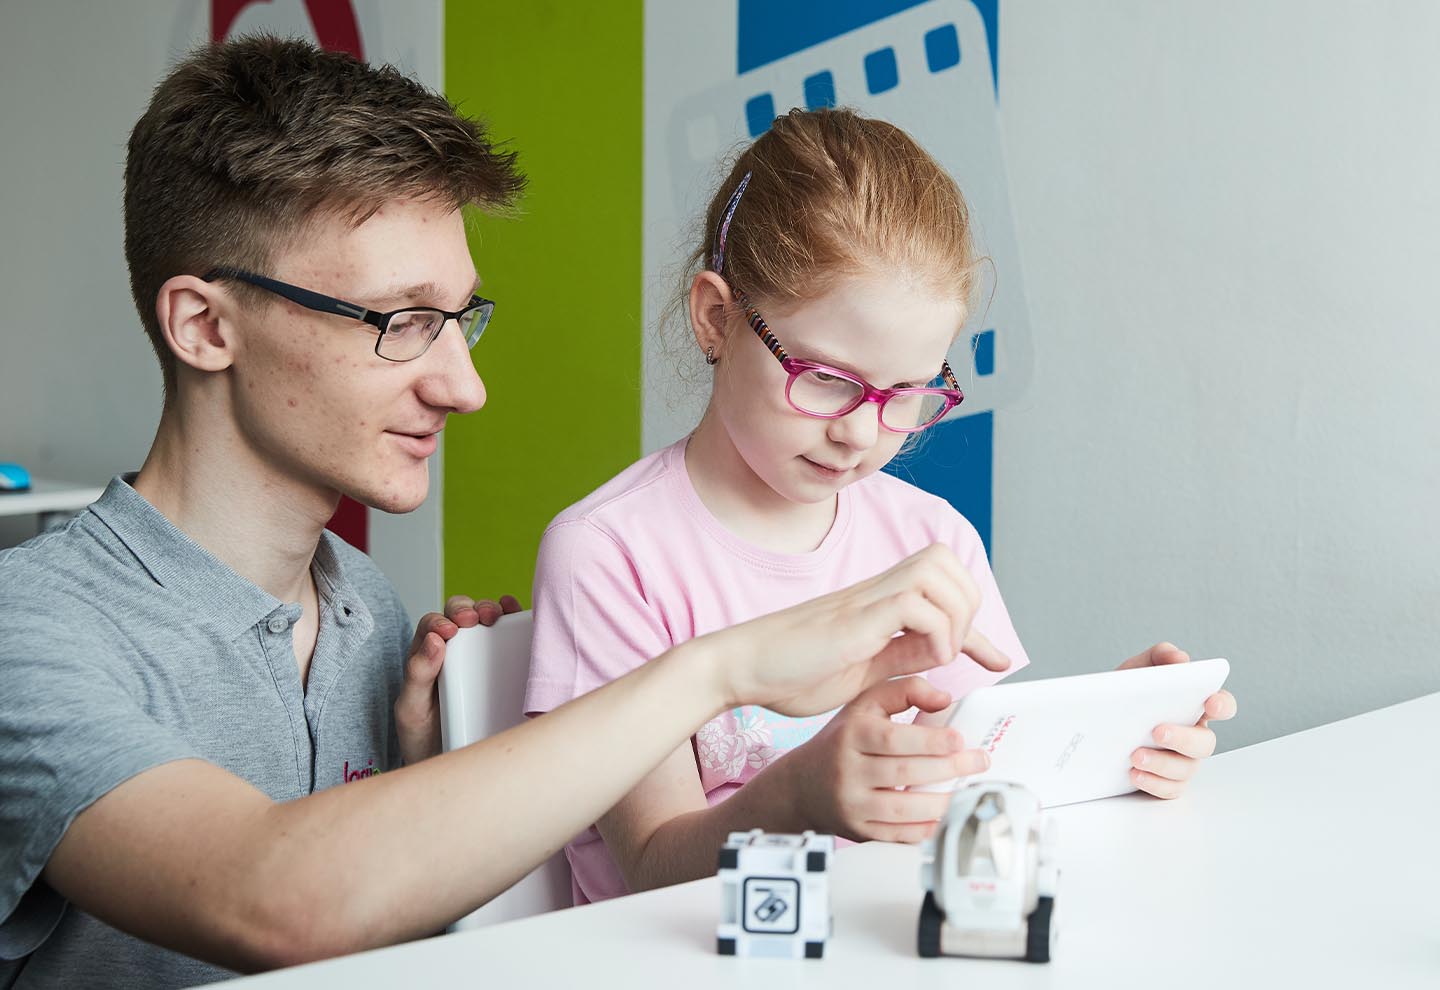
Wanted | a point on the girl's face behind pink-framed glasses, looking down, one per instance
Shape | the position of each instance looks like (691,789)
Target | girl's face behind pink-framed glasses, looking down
(889,332)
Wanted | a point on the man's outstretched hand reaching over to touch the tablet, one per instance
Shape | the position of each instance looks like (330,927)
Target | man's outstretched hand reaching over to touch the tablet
(819,655)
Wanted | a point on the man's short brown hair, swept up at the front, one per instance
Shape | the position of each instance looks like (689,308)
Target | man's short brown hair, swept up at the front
(247,142)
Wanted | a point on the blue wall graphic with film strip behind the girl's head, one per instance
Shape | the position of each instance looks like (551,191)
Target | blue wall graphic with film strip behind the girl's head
(930,67)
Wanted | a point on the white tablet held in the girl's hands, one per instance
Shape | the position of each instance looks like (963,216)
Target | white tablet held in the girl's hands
(1071,739)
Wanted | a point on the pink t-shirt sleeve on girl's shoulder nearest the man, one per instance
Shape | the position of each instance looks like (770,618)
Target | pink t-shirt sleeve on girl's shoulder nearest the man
(593,621)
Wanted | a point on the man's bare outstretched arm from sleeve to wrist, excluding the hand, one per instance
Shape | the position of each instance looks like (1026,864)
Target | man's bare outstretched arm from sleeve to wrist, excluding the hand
(197,860)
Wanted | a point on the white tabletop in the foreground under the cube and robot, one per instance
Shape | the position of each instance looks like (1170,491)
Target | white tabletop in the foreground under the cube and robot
(1308,861)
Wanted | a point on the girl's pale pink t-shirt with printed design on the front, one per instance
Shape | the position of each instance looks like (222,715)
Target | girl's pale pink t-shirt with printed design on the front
(642,566)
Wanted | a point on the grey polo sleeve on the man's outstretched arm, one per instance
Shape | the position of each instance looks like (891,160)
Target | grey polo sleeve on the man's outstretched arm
(71,732)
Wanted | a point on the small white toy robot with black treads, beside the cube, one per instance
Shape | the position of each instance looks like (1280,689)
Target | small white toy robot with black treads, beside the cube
(990,877)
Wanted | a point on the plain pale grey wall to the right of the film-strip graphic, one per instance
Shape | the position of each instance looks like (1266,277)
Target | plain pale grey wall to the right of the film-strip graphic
(1229,214)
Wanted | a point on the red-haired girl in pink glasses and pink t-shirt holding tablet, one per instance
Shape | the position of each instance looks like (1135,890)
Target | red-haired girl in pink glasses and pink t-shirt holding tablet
(836,274)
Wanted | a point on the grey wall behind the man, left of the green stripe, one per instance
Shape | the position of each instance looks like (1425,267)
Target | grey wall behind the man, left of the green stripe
(80,388)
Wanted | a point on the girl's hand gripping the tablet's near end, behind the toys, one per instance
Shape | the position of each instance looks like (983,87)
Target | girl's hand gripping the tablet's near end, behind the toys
(850,778)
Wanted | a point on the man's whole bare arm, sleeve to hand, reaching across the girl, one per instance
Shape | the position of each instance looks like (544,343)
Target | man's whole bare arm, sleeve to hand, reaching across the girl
(197,860)
